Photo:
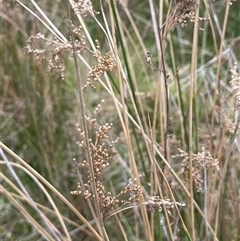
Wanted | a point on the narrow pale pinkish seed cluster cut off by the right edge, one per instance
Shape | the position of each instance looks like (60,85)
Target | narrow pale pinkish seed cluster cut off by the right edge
(235,86)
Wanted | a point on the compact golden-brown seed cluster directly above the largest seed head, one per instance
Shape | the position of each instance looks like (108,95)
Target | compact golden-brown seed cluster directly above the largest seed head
(105,63)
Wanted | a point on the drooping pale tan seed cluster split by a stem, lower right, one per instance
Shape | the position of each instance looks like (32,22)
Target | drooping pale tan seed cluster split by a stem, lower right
(203,159)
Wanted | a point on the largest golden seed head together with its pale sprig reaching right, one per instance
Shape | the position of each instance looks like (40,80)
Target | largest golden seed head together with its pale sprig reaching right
(100,159)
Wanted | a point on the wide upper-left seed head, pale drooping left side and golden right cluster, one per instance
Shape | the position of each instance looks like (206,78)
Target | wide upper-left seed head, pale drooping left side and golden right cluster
(57,50)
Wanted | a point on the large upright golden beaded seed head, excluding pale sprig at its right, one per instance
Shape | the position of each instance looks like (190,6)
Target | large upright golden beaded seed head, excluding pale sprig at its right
(100,158)
